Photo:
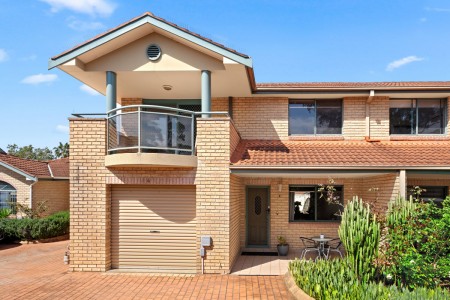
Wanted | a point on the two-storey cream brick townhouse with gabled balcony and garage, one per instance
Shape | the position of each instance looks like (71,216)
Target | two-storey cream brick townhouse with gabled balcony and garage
(191,147)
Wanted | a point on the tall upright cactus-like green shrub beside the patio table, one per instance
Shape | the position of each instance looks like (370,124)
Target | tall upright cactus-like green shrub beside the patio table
(360,234)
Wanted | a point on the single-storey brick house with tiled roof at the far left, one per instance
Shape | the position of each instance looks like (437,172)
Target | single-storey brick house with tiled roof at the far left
(30,182)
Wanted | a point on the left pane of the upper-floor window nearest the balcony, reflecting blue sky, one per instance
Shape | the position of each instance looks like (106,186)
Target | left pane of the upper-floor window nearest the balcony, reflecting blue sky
(302,116)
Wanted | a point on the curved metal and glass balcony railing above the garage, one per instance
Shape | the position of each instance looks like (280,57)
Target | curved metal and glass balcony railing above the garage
(151,129)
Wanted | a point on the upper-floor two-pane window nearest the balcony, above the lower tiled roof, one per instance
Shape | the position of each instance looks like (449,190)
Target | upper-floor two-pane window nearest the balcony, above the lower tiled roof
(315,117)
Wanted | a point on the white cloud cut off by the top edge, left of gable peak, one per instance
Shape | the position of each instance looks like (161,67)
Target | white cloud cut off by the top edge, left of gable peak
(103,8)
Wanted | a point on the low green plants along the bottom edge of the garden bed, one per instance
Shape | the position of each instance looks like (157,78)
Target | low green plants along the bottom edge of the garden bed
(335,279)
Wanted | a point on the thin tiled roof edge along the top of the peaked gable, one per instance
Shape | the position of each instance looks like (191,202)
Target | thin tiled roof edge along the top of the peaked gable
(159,19)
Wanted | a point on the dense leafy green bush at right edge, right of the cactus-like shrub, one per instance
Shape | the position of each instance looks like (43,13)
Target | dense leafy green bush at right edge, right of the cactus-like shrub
(416,250)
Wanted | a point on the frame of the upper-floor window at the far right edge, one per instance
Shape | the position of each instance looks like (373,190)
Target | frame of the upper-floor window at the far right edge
(416,111)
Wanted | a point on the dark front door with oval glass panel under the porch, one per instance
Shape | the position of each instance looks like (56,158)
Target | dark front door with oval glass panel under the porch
(258,211)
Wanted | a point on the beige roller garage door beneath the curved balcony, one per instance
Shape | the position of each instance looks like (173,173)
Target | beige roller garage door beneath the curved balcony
(153,228)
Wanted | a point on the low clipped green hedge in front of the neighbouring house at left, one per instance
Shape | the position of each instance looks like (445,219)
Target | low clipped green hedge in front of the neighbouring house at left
(34,229)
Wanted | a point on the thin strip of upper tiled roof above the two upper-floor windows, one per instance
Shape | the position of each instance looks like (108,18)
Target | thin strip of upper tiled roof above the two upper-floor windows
(322,85)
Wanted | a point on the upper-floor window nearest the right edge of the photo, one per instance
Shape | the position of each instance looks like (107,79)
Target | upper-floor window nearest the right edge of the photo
(417,116)
